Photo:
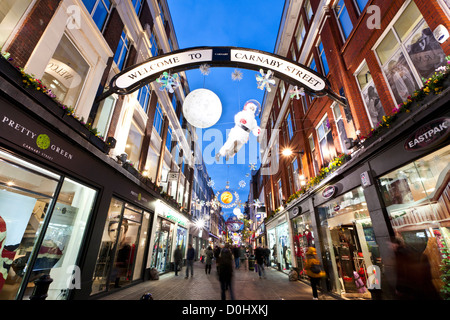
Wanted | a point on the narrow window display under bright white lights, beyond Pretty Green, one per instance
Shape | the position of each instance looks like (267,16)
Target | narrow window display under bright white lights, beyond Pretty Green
(162,248)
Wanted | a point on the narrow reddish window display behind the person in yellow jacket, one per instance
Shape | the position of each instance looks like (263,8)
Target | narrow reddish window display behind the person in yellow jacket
(303,239)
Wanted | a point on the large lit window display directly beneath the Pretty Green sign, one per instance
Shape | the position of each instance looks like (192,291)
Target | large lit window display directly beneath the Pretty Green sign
(42,225)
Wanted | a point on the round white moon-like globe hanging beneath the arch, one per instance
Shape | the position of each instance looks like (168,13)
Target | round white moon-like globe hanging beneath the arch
(202,108)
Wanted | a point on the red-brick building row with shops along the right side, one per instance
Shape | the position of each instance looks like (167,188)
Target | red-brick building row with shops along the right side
(361,178)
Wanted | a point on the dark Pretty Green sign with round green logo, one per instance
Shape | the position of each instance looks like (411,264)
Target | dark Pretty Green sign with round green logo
(28,134)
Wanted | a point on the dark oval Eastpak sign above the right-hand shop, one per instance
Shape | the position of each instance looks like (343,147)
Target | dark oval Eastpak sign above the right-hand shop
(430,134)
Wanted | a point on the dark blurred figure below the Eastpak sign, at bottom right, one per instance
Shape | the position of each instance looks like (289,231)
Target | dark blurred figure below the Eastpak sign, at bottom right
(414,281)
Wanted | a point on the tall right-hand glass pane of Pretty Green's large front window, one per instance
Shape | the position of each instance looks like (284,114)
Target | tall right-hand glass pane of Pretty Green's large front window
(64,236)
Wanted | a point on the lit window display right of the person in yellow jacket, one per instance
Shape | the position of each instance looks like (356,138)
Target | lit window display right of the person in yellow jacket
(349,242)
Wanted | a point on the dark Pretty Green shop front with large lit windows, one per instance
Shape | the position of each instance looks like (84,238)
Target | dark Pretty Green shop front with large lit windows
(69,213)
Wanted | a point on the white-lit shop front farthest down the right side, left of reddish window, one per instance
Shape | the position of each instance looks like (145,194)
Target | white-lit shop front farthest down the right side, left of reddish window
(279,242)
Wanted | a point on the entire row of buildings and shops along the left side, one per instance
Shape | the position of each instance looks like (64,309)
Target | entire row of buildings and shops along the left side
(103,184)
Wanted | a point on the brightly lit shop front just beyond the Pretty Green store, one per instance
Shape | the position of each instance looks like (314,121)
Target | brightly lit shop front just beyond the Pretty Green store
(170,230)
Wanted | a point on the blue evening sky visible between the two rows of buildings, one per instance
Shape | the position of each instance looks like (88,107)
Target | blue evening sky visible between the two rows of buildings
(237,23)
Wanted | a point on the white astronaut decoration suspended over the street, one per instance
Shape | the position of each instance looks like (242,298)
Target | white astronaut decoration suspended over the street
(245,123)
